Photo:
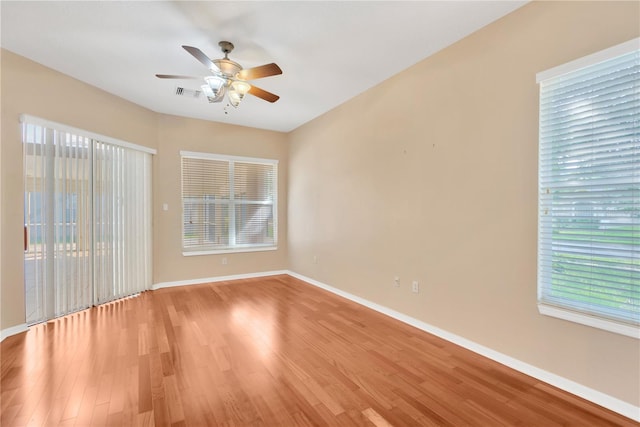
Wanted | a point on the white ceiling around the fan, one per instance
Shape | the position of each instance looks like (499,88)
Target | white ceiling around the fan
(329,51)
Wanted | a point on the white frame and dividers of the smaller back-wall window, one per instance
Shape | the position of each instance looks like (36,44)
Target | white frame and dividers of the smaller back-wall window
(232,203)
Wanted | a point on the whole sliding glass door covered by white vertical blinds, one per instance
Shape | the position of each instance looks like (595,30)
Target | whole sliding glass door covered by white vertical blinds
(87,220)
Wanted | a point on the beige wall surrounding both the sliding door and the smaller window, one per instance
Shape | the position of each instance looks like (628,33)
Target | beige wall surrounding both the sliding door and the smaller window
(32,89)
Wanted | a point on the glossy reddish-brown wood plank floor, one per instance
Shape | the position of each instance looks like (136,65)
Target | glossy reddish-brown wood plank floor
(263,352)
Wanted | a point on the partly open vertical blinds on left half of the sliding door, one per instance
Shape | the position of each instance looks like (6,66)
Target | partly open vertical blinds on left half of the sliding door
(57,171)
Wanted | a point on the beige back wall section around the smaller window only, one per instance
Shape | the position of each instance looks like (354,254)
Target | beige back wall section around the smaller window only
(178,133)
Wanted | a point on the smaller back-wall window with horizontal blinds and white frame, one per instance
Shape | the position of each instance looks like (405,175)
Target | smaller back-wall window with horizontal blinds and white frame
(229,204)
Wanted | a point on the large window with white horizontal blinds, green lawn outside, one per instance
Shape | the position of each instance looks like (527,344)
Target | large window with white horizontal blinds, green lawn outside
(589,190)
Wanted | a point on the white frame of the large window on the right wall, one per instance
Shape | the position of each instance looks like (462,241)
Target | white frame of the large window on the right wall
(556,309)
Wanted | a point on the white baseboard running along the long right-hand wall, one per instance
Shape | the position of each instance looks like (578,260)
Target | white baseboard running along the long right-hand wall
(597,397)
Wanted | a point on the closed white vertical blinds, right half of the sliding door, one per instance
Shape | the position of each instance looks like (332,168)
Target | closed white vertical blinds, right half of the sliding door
(121,222)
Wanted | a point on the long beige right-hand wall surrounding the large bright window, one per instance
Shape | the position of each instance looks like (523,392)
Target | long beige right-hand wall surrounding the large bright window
(432,176)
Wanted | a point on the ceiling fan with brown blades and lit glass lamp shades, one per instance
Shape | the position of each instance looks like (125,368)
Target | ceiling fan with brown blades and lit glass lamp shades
(228,77)
